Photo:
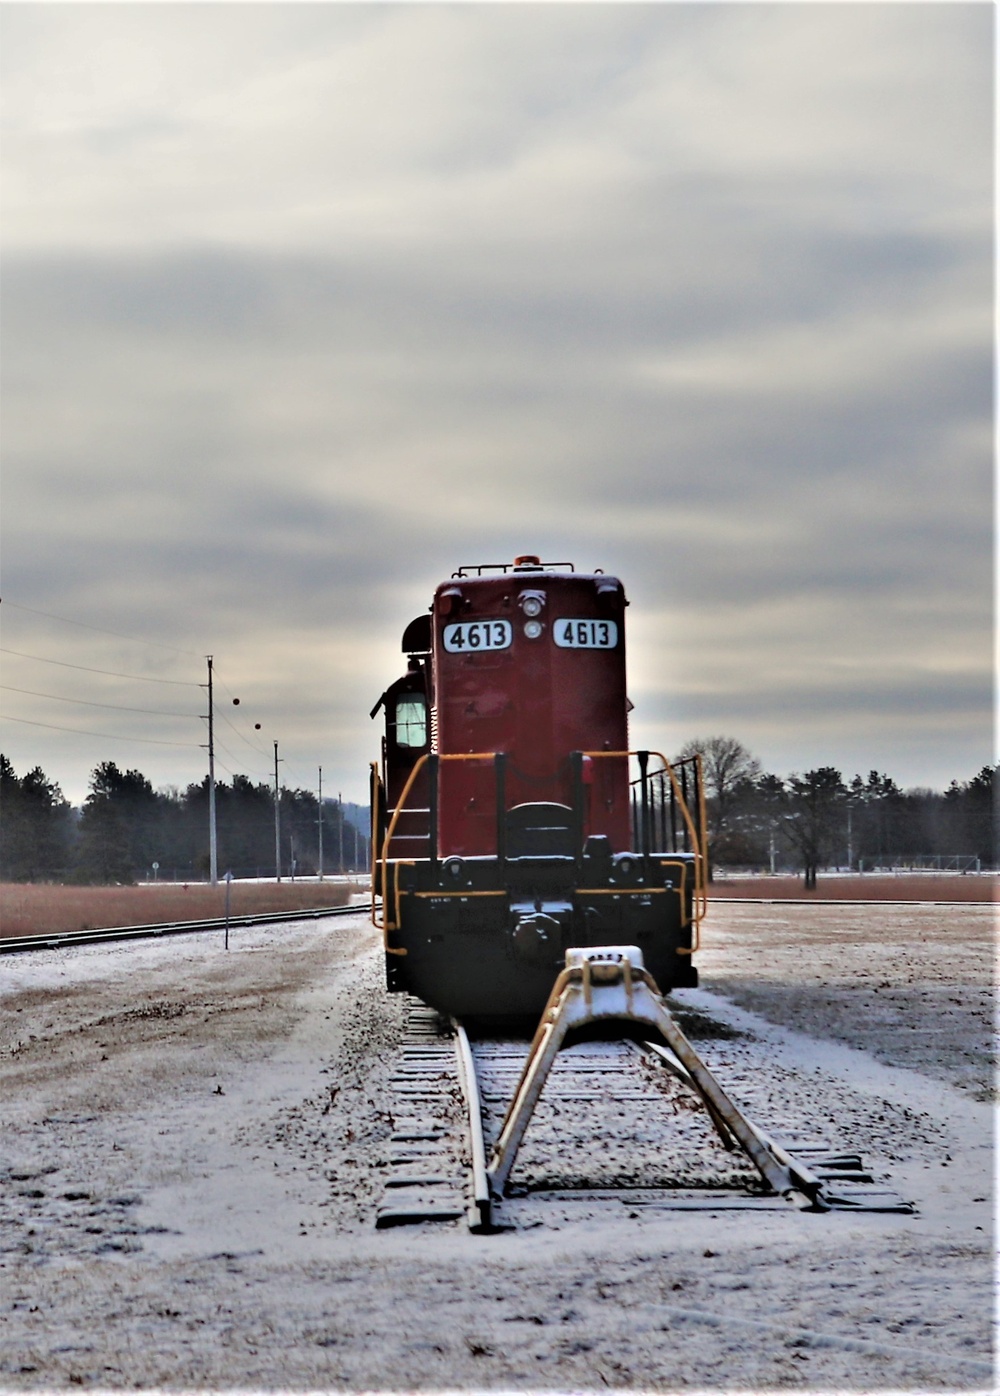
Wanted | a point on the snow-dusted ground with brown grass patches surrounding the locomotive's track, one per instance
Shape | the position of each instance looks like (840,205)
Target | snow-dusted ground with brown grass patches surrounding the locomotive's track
(191,1168)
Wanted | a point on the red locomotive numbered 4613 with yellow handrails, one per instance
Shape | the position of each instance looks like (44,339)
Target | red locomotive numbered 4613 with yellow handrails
(510,820)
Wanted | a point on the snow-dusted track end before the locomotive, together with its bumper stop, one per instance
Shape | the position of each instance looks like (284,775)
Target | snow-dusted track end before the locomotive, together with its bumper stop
(614,1117)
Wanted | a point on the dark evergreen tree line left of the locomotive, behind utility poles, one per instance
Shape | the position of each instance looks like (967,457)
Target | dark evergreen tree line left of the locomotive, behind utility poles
(126,827)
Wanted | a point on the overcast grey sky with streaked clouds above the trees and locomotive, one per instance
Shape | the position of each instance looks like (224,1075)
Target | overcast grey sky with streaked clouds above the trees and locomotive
(307,305)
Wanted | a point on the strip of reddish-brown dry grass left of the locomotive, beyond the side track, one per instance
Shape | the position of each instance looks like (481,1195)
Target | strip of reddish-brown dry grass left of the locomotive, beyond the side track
(40,909)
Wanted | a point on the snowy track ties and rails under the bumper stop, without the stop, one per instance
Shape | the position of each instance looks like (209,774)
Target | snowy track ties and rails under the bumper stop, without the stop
(617,1126)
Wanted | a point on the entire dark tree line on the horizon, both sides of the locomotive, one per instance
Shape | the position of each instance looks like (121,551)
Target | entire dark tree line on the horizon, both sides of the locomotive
(756,820)
